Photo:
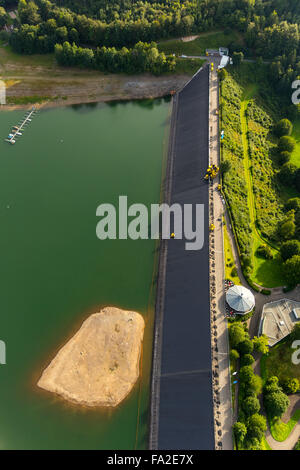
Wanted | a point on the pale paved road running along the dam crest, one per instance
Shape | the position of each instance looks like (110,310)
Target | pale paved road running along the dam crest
(221,355)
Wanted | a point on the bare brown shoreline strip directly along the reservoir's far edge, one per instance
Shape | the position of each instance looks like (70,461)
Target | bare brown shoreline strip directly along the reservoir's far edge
(57,92)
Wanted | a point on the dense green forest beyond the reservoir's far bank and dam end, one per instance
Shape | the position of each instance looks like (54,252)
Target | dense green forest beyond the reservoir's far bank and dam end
(269,27)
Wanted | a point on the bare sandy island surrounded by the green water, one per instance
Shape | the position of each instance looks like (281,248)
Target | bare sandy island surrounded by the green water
(99,365)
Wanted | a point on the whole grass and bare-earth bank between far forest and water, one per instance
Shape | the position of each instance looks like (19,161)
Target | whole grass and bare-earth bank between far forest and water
(39,76)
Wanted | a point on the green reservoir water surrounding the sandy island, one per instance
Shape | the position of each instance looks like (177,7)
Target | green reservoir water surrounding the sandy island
(54,271)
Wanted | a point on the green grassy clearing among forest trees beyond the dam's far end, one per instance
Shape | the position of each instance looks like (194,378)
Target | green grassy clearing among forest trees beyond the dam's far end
(211,40)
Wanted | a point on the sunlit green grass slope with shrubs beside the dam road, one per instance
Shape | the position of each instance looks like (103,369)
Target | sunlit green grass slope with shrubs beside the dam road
(250,185)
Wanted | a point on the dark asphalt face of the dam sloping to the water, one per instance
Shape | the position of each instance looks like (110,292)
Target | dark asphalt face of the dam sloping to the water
(182,398)
